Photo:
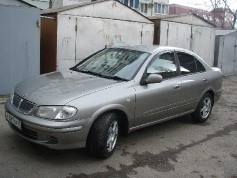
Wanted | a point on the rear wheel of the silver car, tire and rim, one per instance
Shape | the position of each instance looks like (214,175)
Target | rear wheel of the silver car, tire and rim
(203,109)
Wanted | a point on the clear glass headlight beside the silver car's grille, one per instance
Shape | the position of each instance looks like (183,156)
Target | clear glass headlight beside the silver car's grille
(55,112)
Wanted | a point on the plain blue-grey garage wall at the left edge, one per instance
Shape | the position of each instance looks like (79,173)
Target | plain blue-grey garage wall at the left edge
(19,45)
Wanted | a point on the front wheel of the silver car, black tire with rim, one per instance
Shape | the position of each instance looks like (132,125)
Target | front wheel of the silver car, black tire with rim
(103,136)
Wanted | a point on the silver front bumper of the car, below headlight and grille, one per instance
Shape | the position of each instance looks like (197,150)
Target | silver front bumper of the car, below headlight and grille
(52,134)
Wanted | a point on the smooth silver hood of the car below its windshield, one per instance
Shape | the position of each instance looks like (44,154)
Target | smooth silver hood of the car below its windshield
(59,88)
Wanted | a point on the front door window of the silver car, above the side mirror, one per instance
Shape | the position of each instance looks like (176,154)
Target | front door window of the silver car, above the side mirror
(163,65)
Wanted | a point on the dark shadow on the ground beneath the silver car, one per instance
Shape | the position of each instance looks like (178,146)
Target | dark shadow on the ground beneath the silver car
(44,154)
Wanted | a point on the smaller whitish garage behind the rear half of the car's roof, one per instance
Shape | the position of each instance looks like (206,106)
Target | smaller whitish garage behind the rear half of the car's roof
(188,31)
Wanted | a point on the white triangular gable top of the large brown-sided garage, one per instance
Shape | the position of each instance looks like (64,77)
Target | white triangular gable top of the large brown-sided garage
(110,9)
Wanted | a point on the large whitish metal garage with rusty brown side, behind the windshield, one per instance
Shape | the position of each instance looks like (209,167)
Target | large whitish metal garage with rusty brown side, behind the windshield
(72,33)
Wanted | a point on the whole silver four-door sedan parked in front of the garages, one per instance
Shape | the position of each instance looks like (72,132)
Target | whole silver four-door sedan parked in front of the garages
(114,91)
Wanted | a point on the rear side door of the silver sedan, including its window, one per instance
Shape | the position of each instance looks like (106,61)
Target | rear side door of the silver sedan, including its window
(193,81)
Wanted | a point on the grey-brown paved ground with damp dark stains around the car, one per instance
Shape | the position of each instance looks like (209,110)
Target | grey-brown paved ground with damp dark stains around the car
(177,148)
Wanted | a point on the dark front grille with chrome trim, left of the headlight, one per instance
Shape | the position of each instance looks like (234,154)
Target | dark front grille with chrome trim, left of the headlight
(22,104)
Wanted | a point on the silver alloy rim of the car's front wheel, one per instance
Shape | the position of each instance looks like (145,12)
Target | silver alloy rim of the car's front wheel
(112,136)
